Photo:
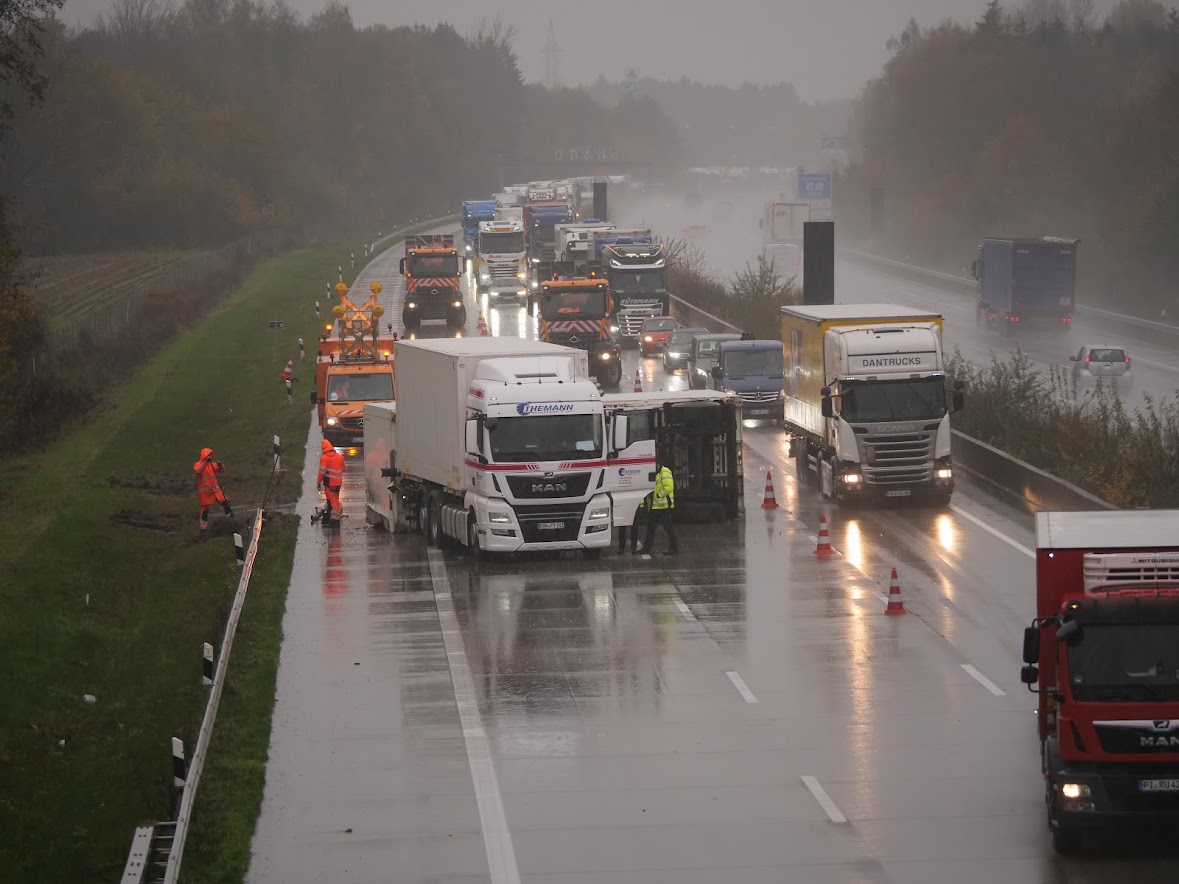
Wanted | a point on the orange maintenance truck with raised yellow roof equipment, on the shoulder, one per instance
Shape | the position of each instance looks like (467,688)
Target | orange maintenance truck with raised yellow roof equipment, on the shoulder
(354,368)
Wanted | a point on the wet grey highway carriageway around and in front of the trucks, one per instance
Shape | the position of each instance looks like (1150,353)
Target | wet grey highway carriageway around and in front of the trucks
(742,713)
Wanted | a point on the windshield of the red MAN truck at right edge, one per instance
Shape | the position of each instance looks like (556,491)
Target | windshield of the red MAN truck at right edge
(1127,662)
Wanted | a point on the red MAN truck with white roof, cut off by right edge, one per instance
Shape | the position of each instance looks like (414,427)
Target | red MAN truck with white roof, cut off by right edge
(1103,655)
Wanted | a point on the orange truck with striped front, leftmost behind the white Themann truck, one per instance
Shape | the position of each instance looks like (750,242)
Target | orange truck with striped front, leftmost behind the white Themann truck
(432,269)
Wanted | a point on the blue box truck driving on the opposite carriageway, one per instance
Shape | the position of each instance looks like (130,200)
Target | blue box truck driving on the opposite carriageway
(1026,285)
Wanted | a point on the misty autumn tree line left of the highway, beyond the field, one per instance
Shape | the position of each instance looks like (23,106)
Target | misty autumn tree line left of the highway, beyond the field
(190,126)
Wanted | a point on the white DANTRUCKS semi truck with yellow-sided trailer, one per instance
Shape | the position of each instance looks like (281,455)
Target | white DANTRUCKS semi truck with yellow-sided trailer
(866,401)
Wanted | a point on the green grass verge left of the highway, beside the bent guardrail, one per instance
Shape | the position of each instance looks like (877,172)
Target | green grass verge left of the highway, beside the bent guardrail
(91,606)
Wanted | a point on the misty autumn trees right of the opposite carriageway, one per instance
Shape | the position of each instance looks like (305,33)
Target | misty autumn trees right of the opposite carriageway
(1033,121)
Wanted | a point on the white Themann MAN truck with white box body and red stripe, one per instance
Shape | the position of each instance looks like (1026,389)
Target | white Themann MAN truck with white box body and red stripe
(499,444)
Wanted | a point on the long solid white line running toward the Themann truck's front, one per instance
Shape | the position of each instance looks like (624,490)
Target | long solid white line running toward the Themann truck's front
(497,837)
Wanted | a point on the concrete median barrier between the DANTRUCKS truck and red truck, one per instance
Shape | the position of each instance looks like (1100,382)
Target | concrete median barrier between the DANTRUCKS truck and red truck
(1019,483)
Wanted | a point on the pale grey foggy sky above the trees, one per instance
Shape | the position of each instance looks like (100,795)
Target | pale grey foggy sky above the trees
(827,49)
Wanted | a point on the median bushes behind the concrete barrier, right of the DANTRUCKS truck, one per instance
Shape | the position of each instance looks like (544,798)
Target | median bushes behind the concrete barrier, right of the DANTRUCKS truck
(1125,451)
